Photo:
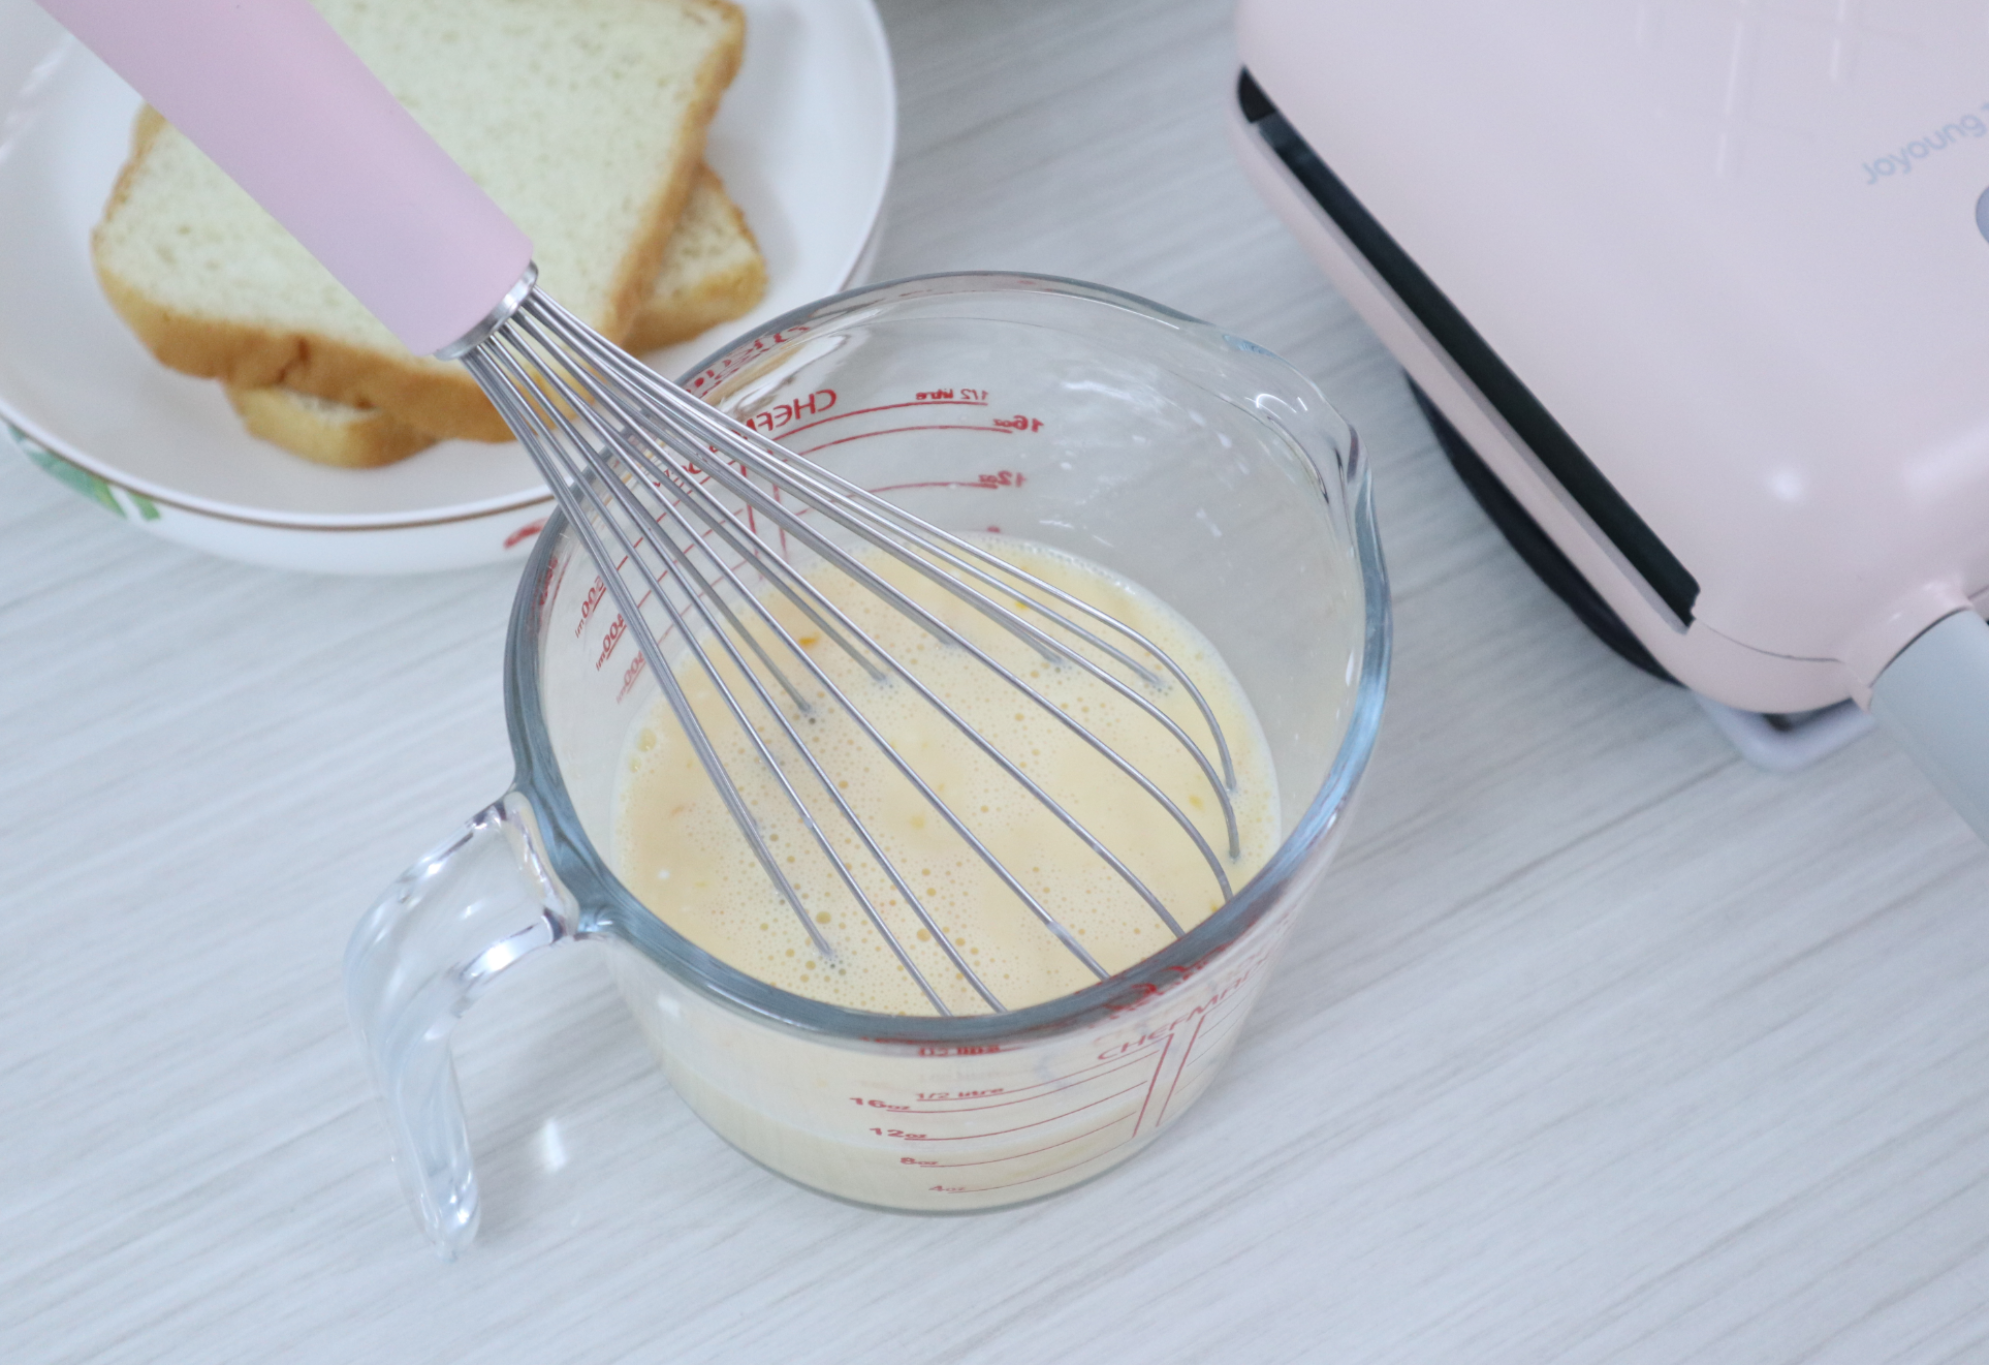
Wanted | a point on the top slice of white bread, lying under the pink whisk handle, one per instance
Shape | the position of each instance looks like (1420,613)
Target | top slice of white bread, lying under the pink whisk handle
(584,118)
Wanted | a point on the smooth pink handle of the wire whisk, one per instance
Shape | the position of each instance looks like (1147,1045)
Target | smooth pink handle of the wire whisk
(275,97)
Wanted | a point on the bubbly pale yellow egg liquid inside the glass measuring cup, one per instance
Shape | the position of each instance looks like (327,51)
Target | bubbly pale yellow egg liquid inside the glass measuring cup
(681,853)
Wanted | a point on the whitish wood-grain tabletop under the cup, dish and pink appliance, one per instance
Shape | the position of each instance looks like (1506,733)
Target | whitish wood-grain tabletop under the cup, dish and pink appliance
(1600,1046)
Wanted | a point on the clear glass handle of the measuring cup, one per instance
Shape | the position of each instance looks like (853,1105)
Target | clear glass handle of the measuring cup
(476,904)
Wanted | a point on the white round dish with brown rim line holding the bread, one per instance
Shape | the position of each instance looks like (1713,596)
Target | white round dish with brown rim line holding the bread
(803,140)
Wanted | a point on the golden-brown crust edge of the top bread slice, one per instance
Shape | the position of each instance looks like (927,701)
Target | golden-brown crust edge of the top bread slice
(417,391)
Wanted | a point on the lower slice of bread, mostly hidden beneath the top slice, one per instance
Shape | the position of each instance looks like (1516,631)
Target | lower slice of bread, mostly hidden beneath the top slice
(711,274)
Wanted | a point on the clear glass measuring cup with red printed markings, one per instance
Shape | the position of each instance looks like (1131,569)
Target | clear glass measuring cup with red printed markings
(1069,415)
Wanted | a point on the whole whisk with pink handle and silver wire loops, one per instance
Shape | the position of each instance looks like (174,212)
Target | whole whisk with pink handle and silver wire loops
(665,492)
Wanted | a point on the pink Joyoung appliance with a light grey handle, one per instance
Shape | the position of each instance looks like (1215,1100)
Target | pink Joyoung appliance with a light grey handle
(1698,297)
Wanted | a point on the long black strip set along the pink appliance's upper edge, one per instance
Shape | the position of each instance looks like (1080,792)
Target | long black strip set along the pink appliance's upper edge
(1501,387)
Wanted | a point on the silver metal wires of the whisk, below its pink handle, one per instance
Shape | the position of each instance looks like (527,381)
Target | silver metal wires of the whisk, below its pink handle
(633,463)
